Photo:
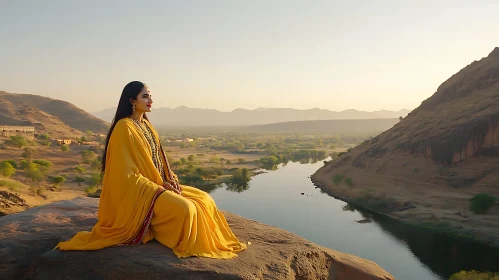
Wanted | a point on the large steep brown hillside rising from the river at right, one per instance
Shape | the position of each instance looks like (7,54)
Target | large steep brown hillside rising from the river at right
(435,160)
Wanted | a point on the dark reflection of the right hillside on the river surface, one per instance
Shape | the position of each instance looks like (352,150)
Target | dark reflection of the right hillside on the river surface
(443,254)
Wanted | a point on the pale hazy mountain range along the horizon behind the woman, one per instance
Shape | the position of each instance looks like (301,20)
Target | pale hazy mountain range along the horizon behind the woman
(184,116)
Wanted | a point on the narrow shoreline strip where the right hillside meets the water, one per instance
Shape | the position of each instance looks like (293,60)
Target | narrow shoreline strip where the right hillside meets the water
(392,218)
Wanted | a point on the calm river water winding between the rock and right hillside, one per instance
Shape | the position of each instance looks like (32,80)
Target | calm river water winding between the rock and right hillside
(275,198)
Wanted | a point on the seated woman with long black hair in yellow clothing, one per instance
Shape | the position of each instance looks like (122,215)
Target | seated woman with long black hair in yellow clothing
(141,197)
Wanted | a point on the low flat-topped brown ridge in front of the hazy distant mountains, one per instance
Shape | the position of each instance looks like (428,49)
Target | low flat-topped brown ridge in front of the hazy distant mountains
(325,126)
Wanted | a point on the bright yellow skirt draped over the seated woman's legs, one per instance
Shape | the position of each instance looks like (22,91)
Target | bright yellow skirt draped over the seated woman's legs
(191,225)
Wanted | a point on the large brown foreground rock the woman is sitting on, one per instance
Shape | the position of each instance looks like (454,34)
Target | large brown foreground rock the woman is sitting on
(26,240)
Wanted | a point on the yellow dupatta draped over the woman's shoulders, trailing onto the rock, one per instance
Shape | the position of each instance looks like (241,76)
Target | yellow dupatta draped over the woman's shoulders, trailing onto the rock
(130,186)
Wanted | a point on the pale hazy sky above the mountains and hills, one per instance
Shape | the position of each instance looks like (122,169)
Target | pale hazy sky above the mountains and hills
(367,55)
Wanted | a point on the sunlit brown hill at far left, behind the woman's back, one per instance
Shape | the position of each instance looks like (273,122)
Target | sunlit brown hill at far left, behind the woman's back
(56,117)
